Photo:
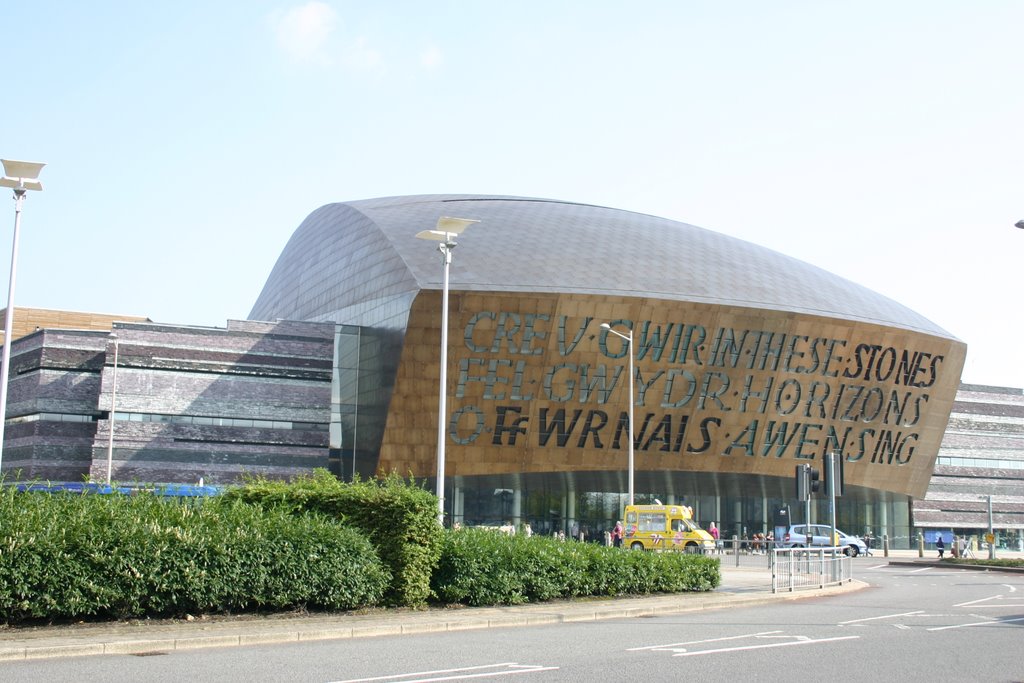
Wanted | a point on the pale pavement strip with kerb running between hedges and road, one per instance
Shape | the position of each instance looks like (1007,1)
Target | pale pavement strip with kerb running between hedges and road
(741,587)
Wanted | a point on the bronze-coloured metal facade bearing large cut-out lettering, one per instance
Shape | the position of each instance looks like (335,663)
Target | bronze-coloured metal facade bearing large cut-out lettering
(535,386)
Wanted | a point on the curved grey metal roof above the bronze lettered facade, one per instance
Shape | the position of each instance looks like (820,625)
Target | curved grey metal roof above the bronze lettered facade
(346,255)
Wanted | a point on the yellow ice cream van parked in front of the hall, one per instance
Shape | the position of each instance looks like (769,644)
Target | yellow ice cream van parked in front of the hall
(665,528)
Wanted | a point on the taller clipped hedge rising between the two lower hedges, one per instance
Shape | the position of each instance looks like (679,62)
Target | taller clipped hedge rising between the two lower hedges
(400,520)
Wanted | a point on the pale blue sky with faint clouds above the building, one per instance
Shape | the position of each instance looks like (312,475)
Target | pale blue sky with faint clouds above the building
(187,141)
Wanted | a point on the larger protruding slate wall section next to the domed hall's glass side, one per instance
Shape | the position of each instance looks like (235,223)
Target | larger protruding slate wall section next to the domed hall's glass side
(182,393)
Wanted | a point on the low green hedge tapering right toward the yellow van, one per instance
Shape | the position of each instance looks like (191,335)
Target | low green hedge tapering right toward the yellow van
(486,568)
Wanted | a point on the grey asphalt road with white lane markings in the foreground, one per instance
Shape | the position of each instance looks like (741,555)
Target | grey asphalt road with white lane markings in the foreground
(916,623)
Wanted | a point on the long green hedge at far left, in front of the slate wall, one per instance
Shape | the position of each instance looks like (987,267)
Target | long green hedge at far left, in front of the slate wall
(74,556)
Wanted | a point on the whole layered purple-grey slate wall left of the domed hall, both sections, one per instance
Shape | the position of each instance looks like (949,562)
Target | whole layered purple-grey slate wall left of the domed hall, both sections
(191,404)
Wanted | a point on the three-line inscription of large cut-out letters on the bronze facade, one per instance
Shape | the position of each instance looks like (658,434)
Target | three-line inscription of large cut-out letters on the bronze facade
(783,383)
